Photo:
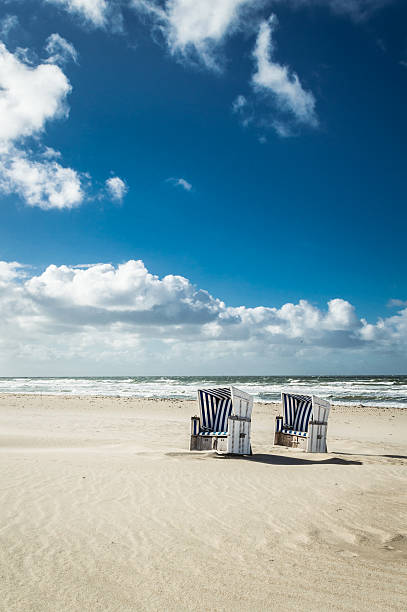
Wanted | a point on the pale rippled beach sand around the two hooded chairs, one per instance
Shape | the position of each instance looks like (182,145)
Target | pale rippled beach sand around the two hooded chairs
(103,508)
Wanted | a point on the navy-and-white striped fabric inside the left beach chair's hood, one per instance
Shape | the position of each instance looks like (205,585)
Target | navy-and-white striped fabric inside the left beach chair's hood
(216,407)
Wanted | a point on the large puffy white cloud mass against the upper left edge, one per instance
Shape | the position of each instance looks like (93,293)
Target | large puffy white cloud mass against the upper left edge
(30,97)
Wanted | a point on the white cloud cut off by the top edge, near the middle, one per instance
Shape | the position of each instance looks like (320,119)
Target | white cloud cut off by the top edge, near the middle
(195,29)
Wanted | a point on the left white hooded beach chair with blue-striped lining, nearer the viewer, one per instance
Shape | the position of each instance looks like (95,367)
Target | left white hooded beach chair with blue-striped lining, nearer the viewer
(224,421)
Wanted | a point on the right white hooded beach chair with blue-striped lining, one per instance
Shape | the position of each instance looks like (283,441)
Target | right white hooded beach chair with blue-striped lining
(304,422)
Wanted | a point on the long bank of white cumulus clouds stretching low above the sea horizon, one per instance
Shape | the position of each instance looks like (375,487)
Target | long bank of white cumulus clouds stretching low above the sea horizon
(106,313)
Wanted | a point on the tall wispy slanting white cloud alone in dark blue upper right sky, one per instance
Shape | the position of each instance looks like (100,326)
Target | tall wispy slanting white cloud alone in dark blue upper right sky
(277,80)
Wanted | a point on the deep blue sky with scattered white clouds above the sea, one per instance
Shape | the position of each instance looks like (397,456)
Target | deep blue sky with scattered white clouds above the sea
(203,187)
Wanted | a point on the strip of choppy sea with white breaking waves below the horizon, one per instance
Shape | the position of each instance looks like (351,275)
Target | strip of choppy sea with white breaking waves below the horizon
(366,390)
